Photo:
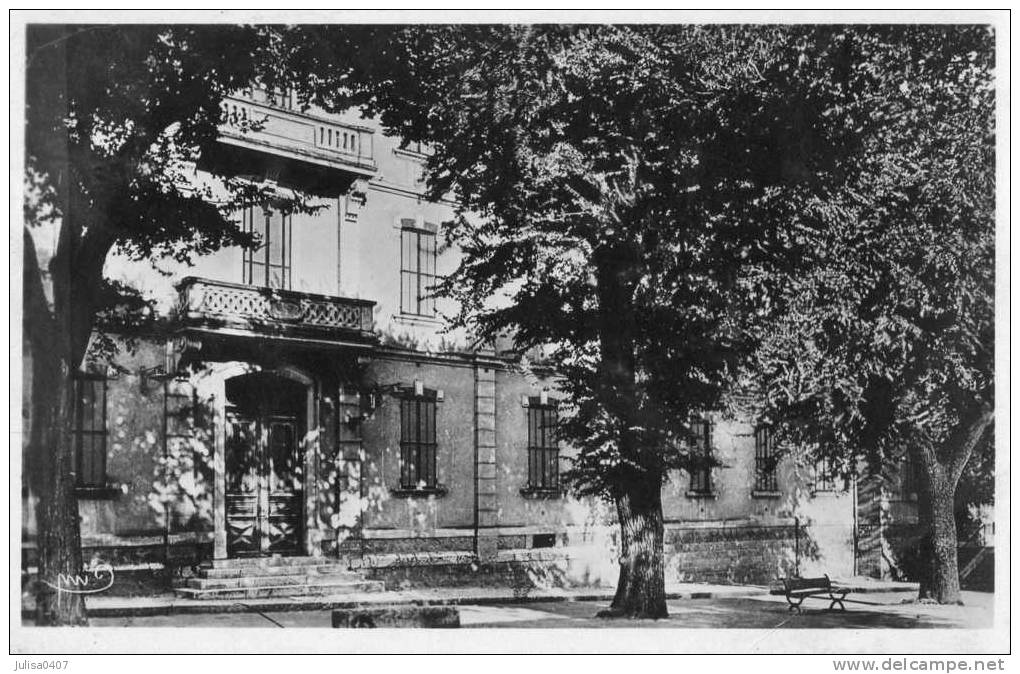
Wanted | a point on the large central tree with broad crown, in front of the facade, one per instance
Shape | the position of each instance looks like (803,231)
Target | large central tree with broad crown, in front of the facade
(614,185)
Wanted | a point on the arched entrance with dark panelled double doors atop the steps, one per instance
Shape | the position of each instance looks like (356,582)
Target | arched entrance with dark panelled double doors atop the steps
(265,465)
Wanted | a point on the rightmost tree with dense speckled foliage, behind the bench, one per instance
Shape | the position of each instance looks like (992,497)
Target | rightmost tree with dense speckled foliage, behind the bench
(884,342)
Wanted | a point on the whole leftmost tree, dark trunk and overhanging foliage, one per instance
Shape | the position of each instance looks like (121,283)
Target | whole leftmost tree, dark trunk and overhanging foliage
(116,118)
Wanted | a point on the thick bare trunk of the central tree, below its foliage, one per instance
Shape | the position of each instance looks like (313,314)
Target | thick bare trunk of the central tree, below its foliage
(641,592)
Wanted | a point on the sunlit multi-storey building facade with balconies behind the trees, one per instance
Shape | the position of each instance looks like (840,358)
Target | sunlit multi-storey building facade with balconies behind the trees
(307,399)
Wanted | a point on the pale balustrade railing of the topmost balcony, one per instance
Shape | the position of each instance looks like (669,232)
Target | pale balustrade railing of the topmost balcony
(279,128)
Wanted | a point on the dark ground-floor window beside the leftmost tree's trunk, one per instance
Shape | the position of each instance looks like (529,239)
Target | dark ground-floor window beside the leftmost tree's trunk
(90,432)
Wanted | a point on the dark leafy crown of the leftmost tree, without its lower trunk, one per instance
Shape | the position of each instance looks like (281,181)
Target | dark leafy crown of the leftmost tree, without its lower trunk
(117,119)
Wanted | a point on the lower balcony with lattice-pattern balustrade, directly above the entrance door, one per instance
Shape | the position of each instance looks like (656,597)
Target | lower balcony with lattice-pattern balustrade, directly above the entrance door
(222,309)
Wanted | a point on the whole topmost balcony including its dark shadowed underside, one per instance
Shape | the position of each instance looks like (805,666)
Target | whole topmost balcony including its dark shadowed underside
(281,142)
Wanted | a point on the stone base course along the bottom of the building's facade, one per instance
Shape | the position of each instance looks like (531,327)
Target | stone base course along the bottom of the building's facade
(721,553)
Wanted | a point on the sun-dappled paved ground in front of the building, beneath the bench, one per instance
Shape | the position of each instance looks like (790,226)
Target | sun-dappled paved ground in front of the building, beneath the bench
(872,611)
